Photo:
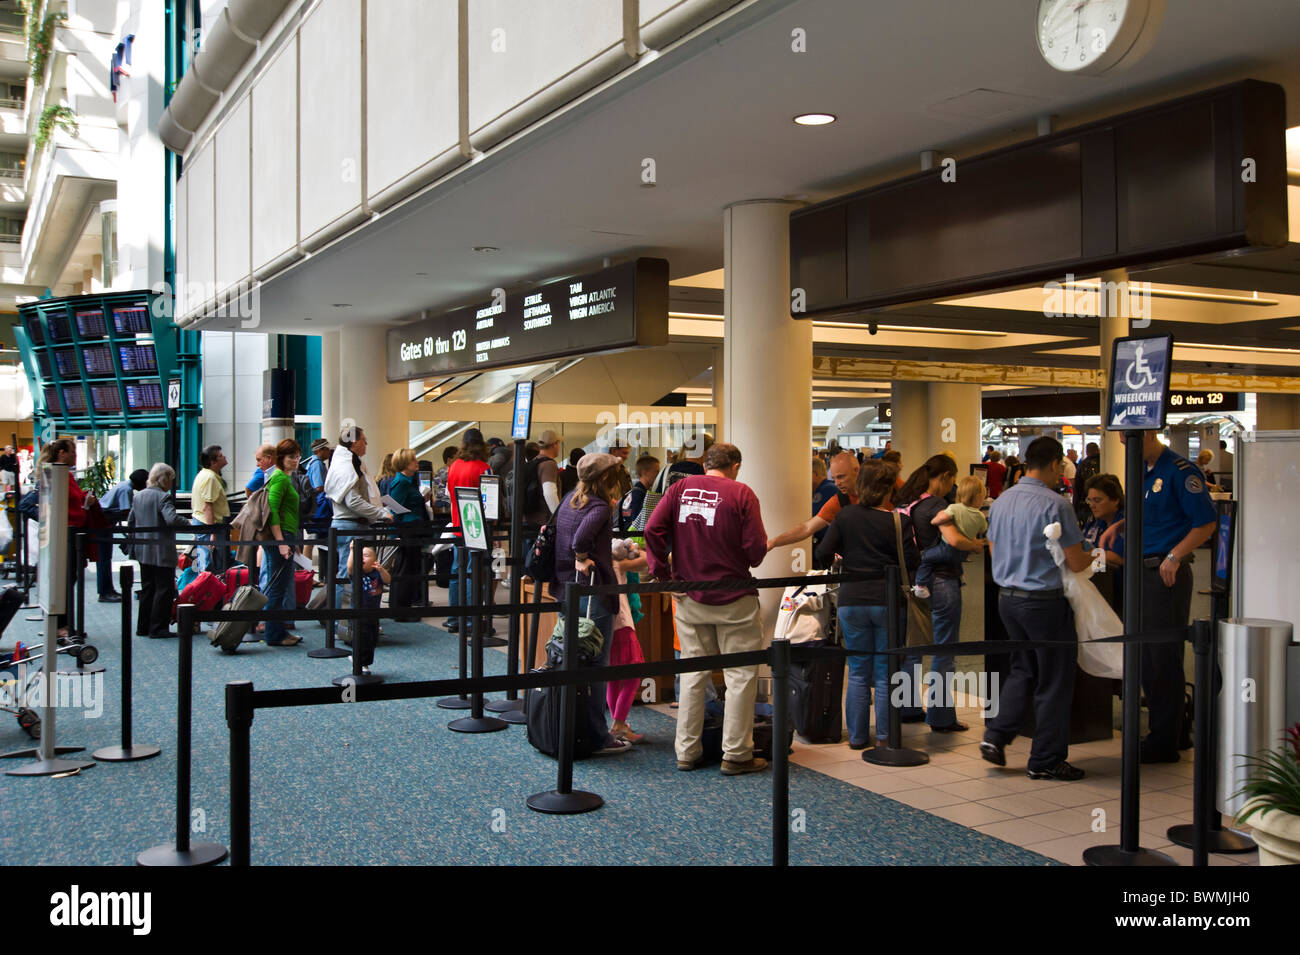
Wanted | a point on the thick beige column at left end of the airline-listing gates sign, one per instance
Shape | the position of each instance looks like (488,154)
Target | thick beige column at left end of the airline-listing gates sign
(367,398)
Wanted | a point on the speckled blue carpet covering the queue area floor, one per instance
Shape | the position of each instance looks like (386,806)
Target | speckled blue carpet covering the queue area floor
(389,784)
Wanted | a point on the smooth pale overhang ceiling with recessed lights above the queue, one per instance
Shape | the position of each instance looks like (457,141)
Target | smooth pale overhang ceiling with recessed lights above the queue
(716,116)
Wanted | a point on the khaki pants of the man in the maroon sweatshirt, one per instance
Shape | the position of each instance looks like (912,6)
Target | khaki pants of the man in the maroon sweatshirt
(705,631)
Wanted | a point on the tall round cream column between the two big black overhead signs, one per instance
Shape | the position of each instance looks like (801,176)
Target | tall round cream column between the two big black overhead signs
(768,370)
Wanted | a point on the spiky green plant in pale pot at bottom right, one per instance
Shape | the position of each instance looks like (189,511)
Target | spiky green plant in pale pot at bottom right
(1273,791)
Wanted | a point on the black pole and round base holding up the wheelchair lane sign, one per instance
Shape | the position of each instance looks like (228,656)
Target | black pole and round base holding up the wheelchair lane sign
(1129,853)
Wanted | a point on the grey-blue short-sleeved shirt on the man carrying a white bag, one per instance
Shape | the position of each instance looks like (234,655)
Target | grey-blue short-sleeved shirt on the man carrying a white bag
(1016,523)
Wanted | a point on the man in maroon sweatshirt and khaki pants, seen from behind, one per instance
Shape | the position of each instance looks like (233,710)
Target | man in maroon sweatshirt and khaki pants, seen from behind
(713,529)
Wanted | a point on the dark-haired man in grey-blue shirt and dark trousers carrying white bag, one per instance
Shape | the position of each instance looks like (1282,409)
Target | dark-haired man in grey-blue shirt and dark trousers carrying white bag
(1033,605)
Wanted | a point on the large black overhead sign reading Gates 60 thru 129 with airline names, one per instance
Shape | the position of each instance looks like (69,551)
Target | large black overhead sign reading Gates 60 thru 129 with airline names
(621,307)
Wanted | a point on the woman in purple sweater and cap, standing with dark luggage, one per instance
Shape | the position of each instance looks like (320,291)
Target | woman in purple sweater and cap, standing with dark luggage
(584,535)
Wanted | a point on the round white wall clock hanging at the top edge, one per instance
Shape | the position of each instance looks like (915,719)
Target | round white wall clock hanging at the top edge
(1087,36)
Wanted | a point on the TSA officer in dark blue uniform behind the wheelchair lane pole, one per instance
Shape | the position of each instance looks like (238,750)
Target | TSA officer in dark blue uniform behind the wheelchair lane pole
(1178,516)
